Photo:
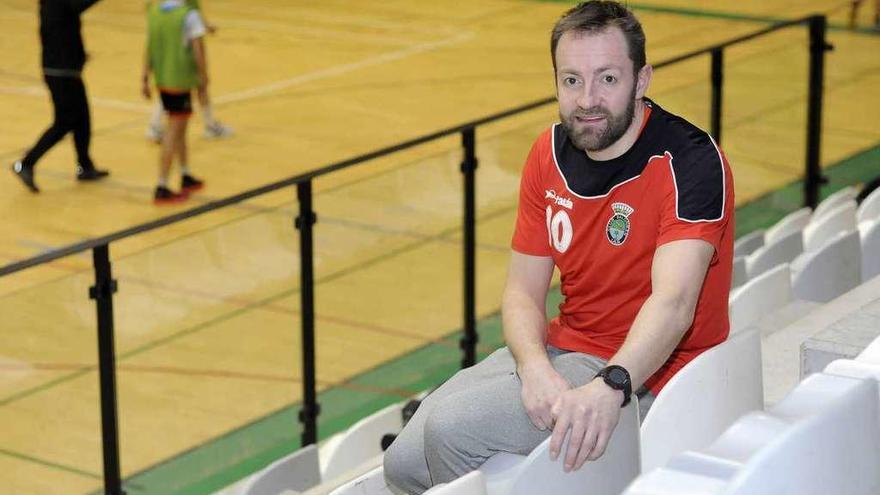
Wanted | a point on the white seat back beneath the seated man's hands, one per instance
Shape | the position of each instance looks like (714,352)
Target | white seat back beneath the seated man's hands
(510,474)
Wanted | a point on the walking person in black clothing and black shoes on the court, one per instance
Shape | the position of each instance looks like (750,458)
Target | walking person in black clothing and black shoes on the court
(63,59)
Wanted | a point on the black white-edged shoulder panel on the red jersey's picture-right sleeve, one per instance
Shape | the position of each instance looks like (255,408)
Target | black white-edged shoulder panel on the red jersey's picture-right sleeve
(698,172)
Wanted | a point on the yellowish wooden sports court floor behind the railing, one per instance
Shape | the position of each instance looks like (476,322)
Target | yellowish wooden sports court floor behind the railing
(207,316)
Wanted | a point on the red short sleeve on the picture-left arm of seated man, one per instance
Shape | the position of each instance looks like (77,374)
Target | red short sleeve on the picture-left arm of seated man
(531,235)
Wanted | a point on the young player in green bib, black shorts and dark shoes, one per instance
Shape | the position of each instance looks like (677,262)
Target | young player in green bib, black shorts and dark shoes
(175,56)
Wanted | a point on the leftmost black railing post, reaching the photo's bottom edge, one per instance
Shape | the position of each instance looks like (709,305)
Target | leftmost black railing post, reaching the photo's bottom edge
(102,292)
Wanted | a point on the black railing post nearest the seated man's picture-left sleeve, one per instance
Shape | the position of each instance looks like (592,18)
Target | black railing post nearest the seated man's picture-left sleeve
(469,340)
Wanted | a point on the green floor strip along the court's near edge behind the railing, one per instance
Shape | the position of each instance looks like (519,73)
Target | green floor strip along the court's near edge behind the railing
(221,462)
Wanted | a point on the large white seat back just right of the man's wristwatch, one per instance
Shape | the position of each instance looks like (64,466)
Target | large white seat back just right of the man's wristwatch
(704,398)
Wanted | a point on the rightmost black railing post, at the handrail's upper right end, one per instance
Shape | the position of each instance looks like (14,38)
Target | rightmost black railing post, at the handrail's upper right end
(813,178)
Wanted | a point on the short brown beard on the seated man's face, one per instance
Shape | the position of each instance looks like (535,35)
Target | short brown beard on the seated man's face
(593,138)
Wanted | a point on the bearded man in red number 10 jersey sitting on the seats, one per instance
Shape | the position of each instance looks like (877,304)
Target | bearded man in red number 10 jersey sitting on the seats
(634,205)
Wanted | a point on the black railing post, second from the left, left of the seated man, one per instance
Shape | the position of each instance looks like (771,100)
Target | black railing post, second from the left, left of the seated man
(308,415)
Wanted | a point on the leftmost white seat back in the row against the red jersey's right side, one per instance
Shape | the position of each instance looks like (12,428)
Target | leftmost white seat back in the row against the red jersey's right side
(762,295)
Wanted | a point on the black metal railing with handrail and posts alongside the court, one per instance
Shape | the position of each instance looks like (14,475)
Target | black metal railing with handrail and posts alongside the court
(105,286)
